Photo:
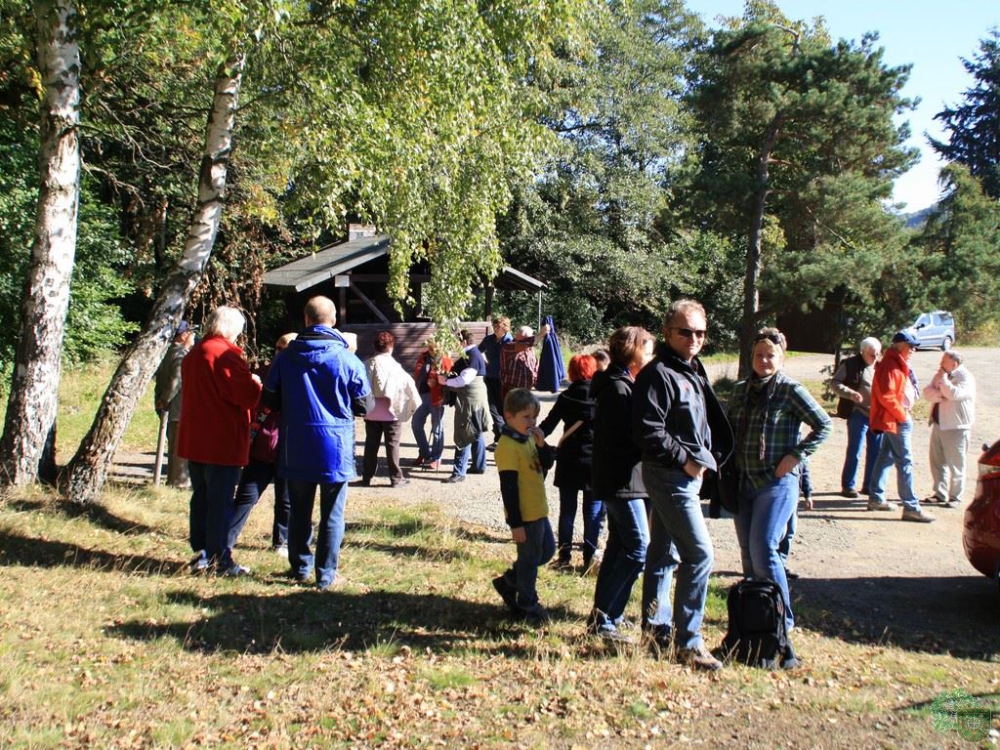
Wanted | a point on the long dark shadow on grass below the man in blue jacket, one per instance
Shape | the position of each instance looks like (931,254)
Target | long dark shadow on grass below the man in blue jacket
(314,621)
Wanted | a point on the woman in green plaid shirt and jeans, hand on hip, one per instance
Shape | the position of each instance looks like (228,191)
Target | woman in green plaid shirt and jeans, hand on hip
(766,411)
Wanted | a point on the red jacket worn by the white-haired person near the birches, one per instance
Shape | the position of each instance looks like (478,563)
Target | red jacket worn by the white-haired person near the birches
(217,395)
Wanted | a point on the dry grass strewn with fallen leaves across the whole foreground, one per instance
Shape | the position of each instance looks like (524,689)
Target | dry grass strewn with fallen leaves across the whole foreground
(107,641)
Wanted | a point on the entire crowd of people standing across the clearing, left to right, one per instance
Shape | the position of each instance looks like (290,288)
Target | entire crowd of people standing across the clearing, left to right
(644,440)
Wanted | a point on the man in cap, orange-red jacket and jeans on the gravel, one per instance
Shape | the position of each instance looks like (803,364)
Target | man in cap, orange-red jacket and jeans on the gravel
(893,394)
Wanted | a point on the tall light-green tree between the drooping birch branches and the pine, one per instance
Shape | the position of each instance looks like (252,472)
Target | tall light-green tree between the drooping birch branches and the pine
(589,225)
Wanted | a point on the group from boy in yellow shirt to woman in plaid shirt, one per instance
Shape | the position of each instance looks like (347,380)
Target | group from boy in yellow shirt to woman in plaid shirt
(660,440)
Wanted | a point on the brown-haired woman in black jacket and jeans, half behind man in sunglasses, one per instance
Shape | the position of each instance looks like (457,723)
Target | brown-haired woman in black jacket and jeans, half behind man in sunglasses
(617,480)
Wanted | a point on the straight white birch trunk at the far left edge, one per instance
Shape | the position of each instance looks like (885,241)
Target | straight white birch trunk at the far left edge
(31,406)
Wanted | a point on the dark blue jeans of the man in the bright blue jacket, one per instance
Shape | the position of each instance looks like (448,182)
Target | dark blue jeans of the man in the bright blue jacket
(332,504)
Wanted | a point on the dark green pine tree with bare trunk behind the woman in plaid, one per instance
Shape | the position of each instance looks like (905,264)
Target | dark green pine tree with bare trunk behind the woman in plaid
(797,151)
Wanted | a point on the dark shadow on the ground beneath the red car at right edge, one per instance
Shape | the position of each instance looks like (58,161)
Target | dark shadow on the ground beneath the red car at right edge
(954,615)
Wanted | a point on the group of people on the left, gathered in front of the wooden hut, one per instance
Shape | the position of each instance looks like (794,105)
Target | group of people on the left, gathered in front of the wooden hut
(234,431)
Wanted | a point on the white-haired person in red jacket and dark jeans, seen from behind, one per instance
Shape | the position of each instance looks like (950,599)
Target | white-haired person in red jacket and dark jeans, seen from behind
(219,392)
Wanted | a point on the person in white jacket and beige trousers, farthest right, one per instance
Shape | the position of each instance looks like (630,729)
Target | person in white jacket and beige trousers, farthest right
(952,391)
